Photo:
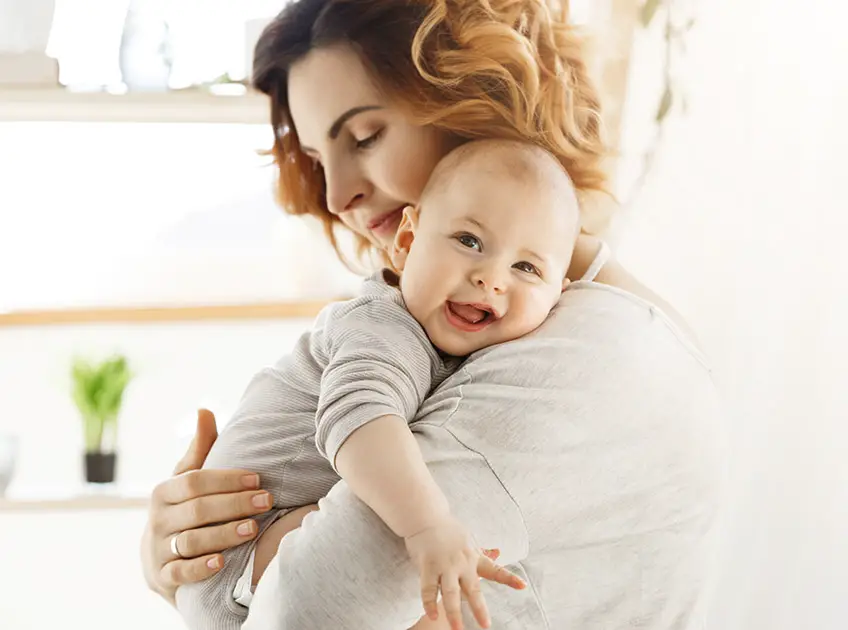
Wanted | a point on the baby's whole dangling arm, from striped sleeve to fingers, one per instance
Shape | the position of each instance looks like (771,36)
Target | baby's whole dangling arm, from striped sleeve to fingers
(380,367)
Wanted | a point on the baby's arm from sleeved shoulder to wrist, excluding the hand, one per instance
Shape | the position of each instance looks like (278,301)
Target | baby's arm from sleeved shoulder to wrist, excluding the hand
(380,367)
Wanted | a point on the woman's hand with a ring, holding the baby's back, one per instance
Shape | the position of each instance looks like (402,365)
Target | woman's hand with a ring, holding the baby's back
(186,505)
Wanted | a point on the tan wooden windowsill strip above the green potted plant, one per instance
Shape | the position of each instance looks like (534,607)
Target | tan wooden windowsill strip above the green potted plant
(302,309)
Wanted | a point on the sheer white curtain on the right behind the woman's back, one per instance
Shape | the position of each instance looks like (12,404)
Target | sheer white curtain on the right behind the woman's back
(743,225)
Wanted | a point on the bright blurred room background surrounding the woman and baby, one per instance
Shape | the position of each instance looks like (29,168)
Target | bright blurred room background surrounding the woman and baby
(137,223)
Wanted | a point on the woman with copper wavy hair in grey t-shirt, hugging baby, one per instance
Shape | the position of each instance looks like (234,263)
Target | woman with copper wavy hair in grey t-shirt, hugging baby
(586,452)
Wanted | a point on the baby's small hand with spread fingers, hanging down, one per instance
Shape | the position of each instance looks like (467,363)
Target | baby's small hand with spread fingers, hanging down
(447,560)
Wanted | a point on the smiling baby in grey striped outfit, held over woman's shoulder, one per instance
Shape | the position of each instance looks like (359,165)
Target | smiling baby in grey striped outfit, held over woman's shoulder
(481,261)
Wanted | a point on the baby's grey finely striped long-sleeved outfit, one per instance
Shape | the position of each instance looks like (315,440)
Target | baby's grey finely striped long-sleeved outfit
(363,359)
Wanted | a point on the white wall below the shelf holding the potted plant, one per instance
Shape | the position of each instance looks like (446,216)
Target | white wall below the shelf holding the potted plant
(77,570)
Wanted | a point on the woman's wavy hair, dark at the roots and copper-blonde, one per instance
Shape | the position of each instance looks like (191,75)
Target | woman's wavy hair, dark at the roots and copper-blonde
(510,69)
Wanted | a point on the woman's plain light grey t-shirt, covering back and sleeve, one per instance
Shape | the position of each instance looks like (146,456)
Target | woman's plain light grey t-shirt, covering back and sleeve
(590,452)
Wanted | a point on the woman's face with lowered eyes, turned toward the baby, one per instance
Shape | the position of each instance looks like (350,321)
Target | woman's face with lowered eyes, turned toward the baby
(375,160)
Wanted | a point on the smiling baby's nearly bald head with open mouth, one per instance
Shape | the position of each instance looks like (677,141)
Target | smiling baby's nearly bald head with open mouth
(483,258)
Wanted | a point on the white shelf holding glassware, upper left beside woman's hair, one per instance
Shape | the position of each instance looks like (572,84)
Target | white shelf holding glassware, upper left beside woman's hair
(182,106)
